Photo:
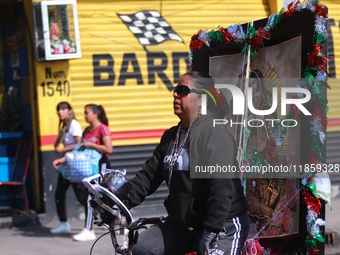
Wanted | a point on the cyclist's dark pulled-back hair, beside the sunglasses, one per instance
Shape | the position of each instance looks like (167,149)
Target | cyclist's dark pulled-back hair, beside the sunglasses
(217,104)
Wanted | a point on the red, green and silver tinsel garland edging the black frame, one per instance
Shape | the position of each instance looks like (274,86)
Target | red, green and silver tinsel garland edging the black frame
(314,79)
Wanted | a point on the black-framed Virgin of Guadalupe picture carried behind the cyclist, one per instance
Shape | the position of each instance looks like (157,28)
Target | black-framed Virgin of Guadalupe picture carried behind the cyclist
(261,68)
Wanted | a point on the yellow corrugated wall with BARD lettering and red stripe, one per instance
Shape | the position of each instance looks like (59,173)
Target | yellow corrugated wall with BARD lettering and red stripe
(131,80)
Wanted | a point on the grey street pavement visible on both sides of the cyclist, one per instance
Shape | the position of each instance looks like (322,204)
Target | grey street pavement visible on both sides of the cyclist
(31,236)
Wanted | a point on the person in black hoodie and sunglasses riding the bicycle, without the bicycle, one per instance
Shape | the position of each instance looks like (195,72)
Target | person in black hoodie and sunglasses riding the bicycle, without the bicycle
(209,215)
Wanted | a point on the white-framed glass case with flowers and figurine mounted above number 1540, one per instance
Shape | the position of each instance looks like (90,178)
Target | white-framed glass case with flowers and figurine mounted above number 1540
(56,30)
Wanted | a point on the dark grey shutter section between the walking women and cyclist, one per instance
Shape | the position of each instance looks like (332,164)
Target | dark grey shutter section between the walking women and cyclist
(132,159)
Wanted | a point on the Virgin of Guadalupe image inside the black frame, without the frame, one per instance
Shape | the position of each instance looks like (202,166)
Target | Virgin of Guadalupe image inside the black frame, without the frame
(272,189)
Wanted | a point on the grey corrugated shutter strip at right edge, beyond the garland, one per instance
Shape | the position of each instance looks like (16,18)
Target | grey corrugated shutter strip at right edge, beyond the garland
(333,154)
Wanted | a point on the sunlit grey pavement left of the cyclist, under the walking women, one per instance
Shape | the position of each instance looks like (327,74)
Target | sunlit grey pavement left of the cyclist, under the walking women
(31,235)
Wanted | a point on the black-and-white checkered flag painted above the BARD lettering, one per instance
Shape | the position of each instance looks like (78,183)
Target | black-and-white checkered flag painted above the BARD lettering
(149,27)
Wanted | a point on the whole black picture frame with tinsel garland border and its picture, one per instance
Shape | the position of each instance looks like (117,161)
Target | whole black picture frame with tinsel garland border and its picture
(288,49)
